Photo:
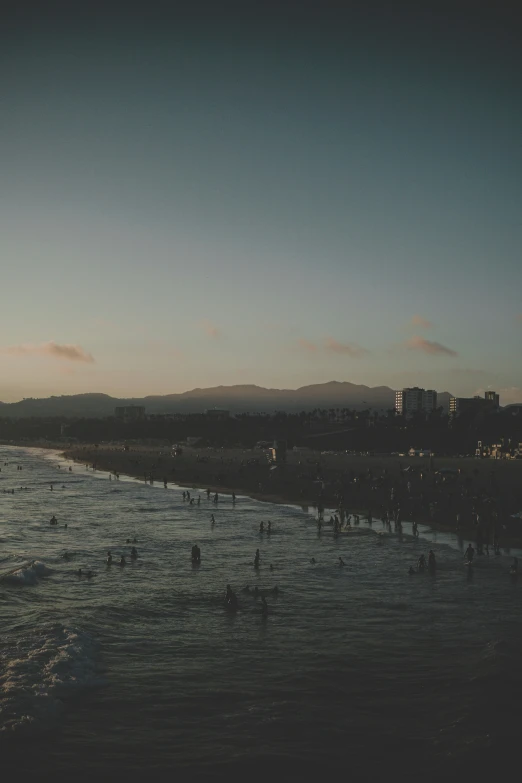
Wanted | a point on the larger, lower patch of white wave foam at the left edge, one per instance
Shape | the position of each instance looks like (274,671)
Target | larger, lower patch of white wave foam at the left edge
(39,671)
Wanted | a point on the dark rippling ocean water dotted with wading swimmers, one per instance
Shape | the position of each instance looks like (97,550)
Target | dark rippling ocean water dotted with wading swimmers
(359,670)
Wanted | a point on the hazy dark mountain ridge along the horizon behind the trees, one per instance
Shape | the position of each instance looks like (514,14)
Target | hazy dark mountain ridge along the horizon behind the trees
(237,399)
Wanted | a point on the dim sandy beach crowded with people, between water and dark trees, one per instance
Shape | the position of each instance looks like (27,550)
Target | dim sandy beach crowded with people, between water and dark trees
(448,500)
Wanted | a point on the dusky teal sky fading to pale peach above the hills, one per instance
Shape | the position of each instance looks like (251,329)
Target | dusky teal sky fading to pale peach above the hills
(278,194)
